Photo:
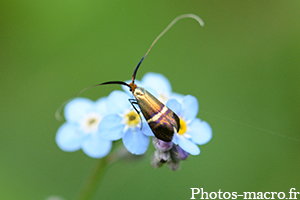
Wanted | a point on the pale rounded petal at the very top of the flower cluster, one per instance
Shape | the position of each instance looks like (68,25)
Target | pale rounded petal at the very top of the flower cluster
(158,82)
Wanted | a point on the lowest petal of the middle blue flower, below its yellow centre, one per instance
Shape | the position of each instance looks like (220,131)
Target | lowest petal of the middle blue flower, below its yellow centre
(135,141)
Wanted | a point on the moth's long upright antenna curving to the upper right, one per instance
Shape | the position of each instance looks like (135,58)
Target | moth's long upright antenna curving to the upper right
(163,32)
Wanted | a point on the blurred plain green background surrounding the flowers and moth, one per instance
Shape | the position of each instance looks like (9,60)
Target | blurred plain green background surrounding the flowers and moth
(243,65)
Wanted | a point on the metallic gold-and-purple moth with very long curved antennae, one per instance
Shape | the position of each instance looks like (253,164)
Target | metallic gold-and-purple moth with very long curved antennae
(163,122)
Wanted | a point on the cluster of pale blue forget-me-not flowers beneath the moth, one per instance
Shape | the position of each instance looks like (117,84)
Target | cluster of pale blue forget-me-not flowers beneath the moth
(93,126)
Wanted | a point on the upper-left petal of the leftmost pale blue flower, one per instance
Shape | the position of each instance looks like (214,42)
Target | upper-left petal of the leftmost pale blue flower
(77,108)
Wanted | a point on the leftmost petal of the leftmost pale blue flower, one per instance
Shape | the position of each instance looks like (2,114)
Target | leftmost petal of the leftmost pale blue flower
(68,138)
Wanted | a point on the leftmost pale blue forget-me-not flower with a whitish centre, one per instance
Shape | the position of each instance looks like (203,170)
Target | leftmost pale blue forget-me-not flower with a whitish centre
(80,131)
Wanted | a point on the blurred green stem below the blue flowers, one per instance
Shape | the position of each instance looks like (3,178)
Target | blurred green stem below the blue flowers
(93,180)
